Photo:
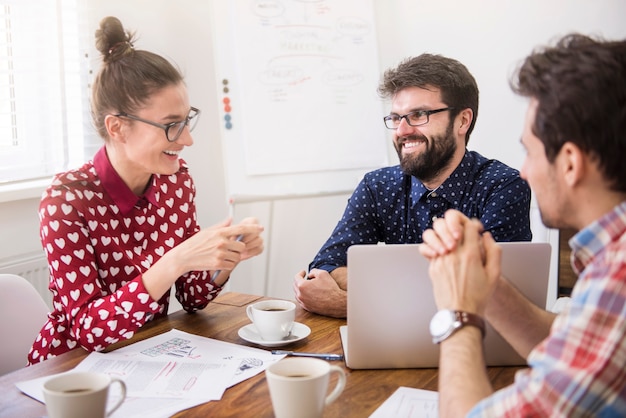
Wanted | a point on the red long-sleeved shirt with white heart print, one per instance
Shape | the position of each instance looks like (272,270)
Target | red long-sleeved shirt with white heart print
(99,238)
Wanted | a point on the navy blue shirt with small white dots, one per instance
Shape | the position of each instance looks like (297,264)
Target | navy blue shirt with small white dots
(391,207)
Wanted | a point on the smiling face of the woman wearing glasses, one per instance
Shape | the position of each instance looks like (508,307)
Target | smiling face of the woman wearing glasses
(140,150)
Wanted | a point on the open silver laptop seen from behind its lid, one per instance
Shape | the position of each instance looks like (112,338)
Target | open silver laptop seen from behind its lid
(390,304)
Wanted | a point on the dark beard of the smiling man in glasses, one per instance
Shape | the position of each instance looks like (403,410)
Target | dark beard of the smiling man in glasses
(435,159)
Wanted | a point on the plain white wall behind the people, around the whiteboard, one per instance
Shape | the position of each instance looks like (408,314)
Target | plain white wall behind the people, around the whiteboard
(489,36)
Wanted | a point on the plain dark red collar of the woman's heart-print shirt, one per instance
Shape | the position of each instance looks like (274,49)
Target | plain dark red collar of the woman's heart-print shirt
(121,194)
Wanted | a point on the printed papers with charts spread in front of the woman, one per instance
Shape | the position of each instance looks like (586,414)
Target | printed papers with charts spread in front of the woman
(170,372)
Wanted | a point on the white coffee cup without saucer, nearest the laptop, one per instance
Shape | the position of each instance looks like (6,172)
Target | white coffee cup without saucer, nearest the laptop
(299,385)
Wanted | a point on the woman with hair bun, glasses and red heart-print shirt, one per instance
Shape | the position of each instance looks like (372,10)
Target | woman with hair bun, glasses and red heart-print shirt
(119,231)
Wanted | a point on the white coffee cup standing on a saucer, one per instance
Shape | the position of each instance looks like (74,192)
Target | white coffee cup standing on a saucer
(273,319)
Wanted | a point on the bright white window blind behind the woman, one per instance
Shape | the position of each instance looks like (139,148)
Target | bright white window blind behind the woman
(44,77)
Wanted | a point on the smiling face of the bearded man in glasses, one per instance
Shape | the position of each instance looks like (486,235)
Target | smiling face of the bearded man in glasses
(429,152)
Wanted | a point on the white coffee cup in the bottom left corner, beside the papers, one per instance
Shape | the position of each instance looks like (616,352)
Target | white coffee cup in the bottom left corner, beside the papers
(80,394)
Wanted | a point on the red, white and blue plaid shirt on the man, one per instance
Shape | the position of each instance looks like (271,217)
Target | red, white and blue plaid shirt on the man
(579,370)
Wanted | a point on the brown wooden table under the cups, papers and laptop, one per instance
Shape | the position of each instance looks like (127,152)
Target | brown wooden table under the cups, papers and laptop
(365,389)
